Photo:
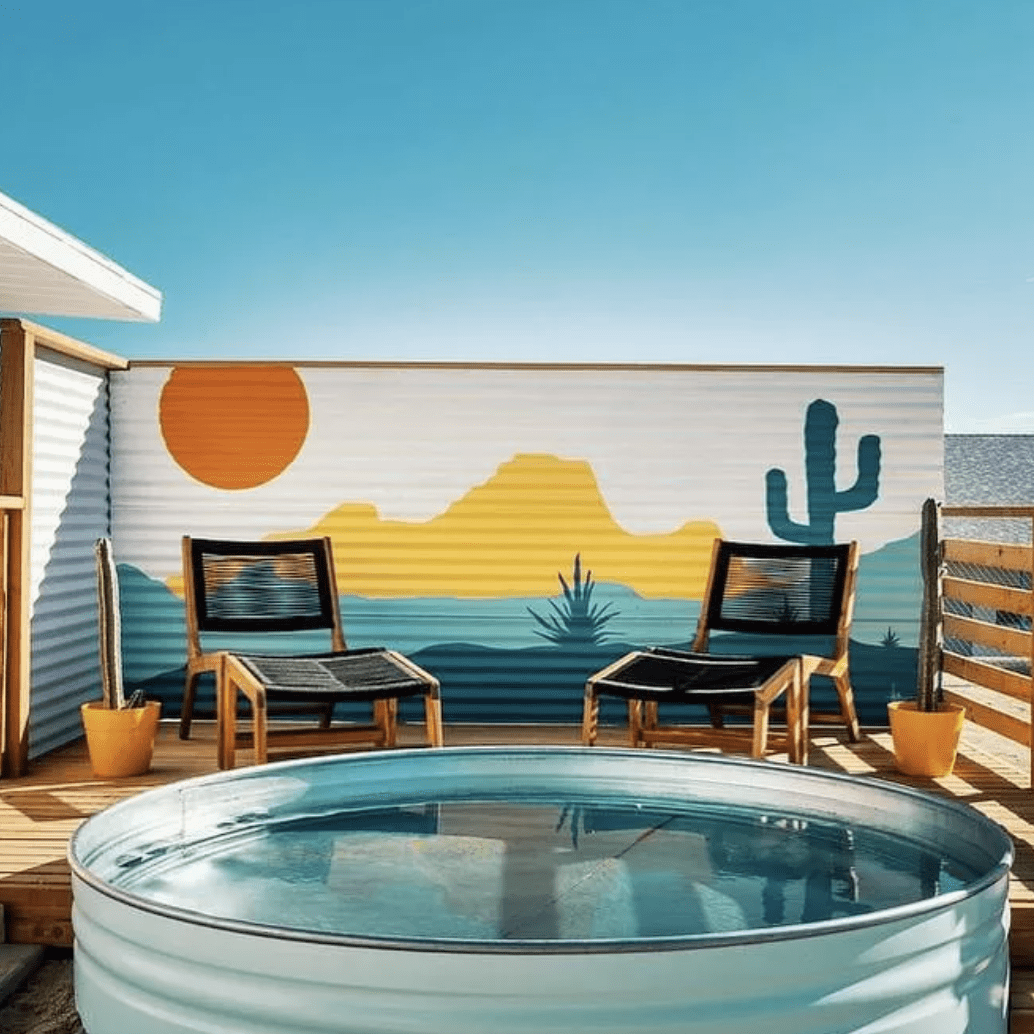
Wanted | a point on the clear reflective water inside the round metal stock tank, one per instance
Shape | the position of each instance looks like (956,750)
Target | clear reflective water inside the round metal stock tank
(491,870)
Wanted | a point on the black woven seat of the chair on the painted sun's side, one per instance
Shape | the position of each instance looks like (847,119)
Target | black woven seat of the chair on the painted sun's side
(361,675)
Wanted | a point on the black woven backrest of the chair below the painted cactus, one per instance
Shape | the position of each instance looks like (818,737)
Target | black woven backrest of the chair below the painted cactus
(778,590)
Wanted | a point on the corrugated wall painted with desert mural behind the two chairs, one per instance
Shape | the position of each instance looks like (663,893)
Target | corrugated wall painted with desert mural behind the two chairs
(513,529)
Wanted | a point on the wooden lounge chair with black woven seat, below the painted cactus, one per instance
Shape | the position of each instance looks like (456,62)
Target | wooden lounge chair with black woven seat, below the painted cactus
(801,596)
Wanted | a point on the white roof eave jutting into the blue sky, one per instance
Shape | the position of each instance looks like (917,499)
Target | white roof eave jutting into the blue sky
(45,271)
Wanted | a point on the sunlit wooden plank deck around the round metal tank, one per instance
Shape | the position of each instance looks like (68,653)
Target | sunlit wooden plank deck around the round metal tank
(40,812)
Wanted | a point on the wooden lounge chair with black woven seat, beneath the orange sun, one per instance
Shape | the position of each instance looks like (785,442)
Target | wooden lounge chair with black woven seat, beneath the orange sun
(289,587)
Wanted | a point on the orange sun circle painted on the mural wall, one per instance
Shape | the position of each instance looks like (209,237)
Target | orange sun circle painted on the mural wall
(234,427)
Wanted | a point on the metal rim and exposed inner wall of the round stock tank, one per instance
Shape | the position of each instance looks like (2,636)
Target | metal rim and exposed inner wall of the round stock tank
(546,774)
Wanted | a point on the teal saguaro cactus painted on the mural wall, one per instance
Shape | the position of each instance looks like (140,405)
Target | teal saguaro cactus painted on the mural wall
(825,502)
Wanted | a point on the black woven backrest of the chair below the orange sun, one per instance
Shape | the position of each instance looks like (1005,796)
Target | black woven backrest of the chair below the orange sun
(262,587)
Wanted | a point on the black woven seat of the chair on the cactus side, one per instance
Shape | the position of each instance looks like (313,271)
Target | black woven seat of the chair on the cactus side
(667,675)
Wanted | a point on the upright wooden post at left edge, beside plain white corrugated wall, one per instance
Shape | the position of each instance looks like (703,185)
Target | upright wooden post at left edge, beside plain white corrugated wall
(17,353)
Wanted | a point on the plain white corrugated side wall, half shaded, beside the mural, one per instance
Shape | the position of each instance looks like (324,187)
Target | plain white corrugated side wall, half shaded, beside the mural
(71,508)
